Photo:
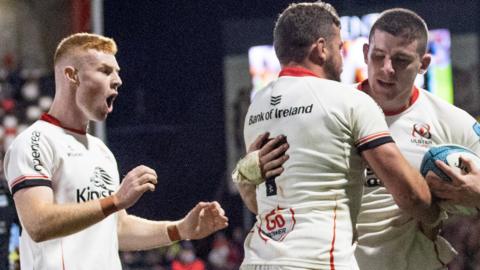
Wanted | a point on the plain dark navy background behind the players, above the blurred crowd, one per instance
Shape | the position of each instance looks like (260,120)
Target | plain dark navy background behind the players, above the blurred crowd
(170,112)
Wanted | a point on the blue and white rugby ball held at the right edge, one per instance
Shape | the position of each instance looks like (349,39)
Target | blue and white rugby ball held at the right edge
(450,154)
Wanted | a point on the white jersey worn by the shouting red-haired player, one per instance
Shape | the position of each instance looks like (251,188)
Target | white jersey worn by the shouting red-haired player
(78,167)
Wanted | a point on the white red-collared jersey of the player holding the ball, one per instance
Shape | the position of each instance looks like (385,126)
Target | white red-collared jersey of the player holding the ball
(389,238)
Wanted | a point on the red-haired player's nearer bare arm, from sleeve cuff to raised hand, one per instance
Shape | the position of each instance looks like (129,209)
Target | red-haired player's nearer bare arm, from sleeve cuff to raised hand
(45,219)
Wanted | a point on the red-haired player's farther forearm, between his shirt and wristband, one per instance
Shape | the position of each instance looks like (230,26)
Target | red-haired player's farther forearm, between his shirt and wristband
(135,233)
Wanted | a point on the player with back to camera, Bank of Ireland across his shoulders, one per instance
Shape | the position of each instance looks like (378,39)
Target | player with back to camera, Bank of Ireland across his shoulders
(306,216)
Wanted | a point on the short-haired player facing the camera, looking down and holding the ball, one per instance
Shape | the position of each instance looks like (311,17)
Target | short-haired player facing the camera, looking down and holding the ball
(389,237)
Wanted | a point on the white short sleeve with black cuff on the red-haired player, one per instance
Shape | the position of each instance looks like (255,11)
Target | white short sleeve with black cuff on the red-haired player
(28,162)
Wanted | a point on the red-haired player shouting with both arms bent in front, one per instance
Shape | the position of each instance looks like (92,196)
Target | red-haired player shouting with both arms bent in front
(65,182)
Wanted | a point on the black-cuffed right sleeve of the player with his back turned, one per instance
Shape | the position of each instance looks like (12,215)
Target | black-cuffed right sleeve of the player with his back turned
(368,124)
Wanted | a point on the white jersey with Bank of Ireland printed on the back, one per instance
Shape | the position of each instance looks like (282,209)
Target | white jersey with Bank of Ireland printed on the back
(306,216)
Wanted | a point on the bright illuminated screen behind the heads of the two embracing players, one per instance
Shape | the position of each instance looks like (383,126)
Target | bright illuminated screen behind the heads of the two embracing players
(264,65)
